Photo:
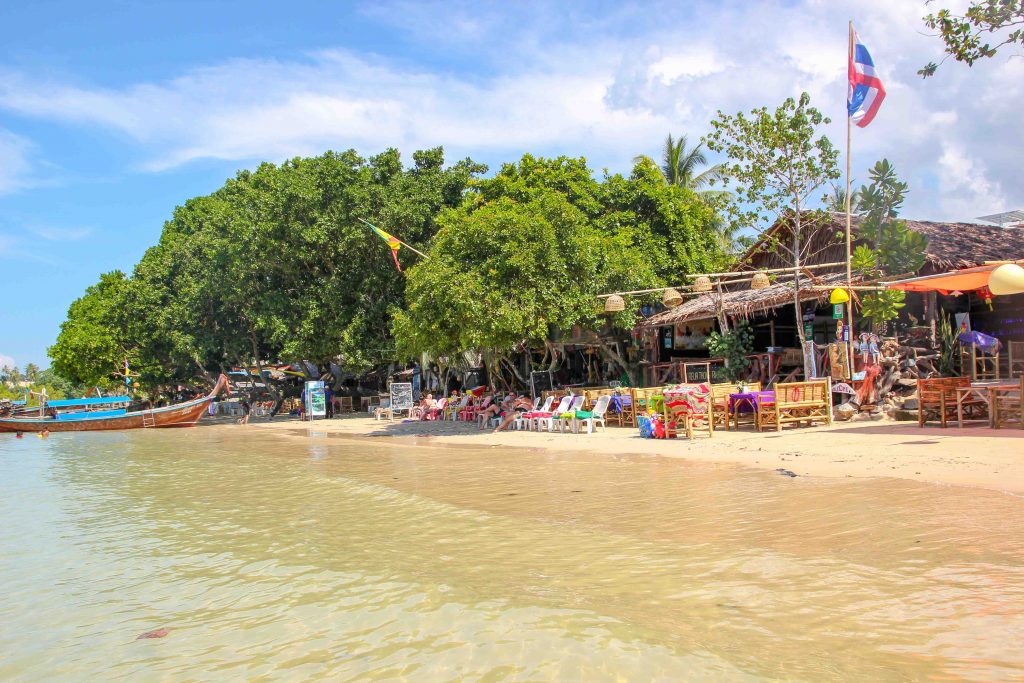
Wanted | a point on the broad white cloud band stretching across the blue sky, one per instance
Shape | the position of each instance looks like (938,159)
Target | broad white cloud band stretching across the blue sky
(606,87)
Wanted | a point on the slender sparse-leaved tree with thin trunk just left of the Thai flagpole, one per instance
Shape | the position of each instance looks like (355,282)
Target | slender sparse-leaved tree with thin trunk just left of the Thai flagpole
(779,162)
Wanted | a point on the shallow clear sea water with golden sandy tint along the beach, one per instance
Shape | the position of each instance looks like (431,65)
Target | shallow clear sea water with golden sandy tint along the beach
(271,558)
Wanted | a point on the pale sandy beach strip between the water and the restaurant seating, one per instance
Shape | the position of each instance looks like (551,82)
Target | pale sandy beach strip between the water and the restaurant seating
(969,457)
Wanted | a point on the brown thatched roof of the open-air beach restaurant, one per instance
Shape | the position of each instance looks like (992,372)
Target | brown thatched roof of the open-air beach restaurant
(951,246)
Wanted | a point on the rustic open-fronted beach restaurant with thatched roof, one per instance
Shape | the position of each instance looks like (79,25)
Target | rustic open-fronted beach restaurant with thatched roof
(673,338)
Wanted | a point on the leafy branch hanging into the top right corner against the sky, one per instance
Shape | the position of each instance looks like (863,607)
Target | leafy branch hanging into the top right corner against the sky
(987,27)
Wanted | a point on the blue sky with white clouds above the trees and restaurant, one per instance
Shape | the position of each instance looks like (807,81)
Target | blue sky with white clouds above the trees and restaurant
(114,113)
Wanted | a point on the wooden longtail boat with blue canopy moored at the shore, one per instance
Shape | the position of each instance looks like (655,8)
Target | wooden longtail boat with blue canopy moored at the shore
(111,413)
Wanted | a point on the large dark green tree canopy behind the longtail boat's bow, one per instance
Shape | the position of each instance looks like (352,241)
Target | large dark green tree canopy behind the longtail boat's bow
(275,265)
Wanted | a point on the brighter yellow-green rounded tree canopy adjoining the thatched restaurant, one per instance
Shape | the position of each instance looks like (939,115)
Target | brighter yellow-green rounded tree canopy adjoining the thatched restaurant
(530,249)
